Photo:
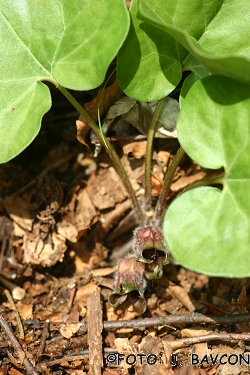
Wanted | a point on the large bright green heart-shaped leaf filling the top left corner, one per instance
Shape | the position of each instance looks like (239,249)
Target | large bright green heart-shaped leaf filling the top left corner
(69,43)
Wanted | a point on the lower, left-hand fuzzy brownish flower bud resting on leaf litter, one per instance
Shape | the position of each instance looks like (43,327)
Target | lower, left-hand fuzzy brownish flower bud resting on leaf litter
(130,285)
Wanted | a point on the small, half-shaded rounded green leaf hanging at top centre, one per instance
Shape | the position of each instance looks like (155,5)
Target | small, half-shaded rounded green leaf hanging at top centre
(147,67)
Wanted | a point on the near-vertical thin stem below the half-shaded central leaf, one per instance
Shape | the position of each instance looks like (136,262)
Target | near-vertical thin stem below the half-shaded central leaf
(150,139)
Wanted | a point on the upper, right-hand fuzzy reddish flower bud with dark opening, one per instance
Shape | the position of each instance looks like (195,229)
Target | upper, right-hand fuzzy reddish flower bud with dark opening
(150,249)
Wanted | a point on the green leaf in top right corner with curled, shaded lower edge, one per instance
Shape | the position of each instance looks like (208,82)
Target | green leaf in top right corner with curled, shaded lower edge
(223,46)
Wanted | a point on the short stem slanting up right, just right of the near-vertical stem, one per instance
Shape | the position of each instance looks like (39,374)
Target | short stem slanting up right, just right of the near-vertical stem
(162,200)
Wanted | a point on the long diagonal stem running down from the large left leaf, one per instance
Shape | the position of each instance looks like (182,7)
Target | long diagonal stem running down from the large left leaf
(113,155)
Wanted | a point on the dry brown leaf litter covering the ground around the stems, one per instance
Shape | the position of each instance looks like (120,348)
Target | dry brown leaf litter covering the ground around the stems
(65,218)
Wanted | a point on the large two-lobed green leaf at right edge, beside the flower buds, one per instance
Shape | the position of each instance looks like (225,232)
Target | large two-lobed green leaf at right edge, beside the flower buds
(206,229)
